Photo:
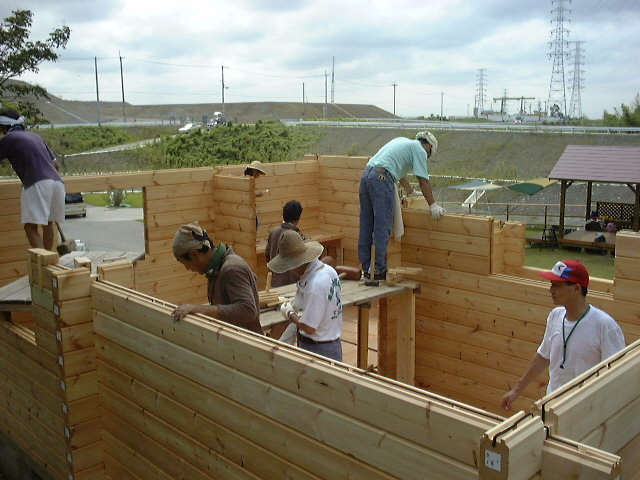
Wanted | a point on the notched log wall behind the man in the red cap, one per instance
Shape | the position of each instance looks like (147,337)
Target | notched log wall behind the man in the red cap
(475,329)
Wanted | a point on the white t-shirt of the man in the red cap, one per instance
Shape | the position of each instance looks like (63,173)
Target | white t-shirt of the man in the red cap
(596,337)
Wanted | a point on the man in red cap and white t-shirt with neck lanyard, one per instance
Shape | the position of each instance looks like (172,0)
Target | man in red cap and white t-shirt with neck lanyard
(578,335)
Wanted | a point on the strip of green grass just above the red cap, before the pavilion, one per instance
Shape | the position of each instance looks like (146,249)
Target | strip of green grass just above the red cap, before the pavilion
(600,266)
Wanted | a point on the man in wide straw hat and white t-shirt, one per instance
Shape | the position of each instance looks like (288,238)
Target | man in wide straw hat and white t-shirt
(318,306)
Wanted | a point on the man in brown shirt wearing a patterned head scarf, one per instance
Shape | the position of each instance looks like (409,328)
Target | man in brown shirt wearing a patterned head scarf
(232,287)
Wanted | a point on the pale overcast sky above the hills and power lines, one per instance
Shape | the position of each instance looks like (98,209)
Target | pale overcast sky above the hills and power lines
(173,52)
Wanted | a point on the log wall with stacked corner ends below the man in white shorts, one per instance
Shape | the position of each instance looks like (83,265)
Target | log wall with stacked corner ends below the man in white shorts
(49,404)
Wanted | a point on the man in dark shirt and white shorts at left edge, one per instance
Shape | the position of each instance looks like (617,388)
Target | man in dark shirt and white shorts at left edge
(42,198)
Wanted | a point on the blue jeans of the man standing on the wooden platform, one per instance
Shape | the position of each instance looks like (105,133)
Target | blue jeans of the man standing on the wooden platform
(377,197)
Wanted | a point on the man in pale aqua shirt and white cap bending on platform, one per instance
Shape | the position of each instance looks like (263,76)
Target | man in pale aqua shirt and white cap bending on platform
(393,162)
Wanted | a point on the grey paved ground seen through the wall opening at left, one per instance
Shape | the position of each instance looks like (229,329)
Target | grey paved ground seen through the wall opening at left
(105,229)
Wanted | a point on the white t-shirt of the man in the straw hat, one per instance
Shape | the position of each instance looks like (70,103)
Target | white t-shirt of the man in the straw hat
(319,298)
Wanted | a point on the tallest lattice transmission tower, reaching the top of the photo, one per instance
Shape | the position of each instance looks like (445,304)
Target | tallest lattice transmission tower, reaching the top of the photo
(557,90)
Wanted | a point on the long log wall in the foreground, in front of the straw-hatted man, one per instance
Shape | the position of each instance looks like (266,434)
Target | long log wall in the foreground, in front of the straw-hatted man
(200,399)
